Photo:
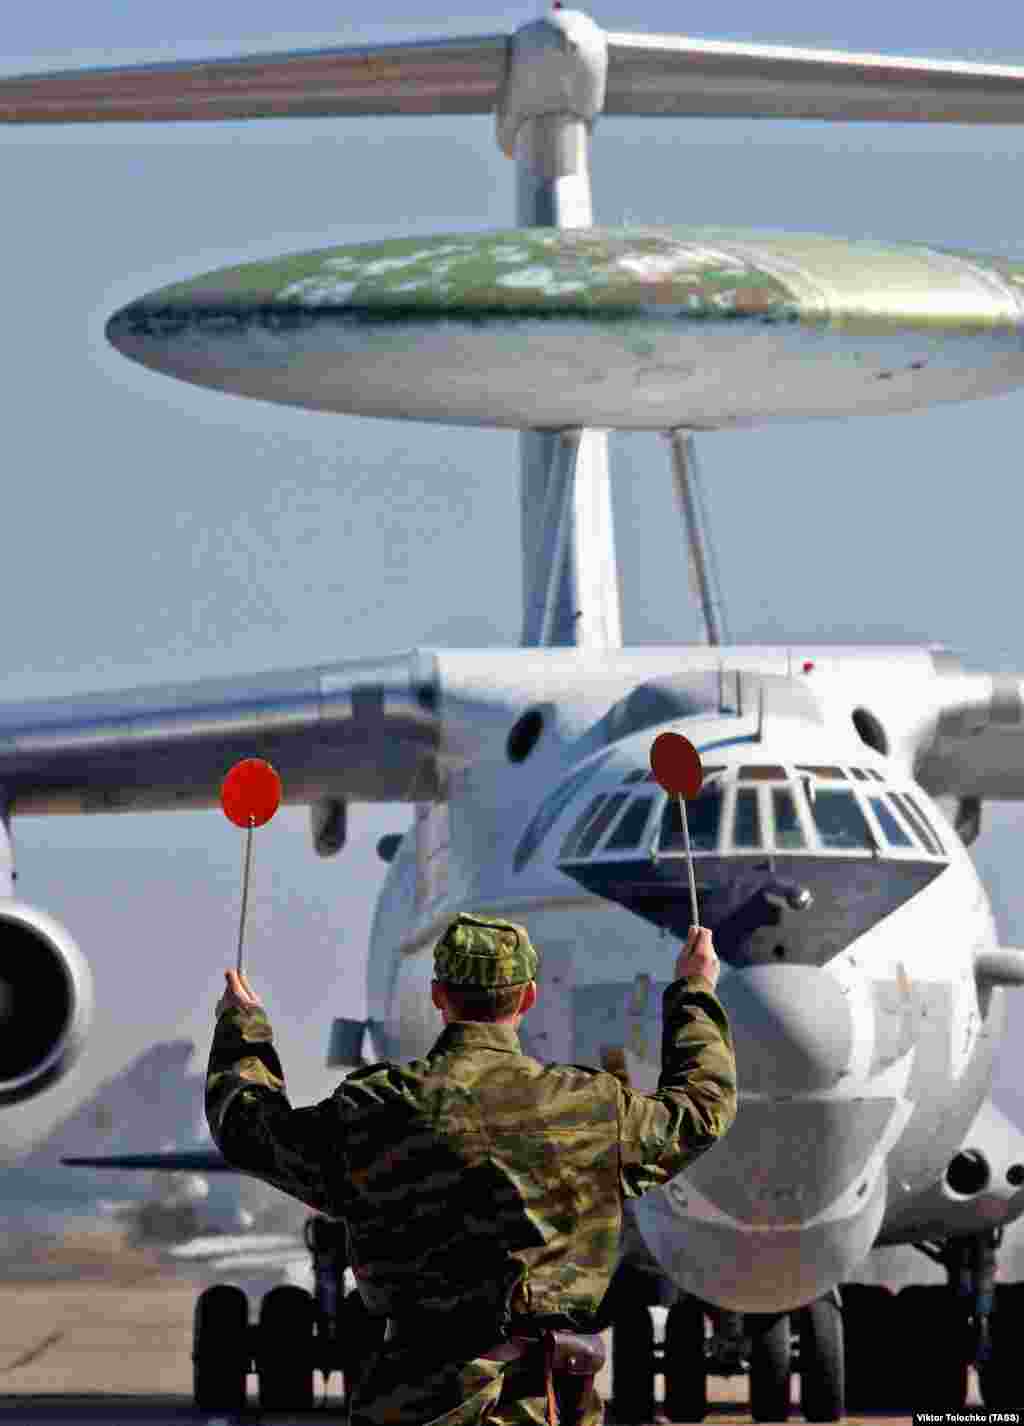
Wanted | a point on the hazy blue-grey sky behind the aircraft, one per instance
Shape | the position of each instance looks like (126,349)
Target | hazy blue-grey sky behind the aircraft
(158,533)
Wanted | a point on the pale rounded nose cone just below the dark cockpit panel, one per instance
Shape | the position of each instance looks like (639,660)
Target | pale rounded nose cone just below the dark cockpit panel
(792,1027)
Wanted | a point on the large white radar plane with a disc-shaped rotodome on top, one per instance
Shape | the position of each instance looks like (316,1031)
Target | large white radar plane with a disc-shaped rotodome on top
(862,969)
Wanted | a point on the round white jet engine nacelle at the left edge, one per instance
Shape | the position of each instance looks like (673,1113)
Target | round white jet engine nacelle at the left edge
(46,1002)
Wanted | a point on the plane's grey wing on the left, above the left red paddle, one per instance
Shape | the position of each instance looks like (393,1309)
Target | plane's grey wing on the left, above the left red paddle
(367,731)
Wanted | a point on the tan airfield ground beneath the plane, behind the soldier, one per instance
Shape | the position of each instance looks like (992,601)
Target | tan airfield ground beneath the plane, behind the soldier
(101,1337)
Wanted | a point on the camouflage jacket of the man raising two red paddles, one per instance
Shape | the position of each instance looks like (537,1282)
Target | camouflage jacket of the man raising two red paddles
(478,1181)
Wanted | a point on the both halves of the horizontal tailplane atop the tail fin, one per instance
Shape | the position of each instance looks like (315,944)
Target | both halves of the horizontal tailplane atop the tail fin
(648,75)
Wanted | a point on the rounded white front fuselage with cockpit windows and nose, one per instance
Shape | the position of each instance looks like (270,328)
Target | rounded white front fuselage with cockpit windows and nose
(848,916)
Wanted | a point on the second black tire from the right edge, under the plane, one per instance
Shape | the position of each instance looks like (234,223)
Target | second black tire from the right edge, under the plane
(933,1337)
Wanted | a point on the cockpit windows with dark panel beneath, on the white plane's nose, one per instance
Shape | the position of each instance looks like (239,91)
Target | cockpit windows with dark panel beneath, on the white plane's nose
(792,861)
